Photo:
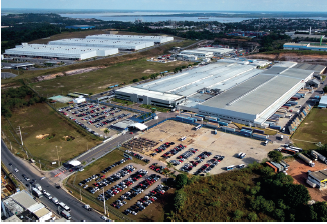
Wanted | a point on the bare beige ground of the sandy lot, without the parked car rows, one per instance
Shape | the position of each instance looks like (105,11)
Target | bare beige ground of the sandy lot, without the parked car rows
(225,144)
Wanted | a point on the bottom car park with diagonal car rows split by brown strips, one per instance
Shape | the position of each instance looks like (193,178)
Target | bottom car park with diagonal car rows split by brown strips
(126,186)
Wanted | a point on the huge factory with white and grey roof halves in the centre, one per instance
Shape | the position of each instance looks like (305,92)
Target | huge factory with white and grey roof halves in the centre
(229,89)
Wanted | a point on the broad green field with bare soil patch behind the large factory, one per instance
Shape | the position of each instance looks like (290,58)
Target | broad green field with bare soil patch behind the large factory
(99,80)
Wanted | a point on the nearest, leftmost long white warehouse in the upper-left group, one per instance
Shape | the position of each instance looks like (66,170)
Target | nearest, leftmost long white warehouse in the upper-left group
(59,51)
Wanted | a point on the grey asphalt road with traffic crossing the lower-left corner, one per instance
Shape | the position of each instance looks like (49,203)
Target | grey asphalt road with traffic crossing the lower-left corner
(78,213)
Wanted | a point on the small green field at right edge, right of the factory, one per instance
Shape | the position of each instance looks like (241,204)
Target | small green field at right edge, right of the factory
(312,130)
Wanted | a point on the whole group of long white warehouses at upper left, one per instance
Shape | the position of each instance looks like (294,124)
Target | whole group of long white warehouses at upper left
(92,46)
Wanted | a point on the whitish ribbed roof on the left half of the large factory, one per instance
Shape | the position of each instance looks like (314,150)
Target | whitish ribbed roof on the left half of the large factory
(221,75)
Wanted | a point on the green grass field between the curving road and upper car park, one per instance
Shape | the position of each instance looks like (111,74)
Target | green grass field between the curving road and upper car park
(40,119)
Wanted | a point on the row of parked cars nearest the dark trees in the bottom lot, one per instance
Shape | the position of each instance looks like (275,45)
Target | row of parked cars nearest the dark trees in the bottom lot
(144,202)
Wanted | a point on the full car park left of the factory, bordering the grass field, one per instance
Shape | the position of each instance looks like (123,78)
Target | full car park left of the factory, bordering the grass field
(96,118)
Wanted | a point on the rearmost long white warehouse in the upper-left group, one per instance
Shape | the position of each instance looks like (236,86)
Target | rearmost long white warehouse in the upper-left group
(155,39)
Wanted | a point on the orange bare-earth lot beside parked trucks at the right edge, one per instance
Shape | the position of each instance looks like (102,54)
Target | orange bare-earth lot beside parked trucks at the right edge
(299,171)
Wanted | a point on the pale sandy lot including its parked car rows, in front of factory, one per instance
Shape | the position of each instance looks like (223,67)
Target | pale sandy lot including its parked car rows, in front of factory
(221,149)
